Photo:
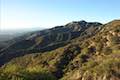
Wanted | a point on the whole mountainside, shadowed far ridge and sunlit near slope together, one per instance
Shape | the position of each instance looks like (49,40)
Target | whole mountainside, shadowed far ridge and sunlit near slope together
(77,51)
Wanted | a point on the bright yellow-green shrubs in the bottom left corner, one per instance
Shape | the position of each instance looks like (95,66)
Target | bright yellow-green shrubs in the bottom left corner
(12,72)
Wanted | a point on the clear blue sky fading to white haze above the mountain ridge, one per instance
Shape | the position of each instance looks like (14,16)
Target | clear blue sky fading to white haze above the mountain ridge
(18,14)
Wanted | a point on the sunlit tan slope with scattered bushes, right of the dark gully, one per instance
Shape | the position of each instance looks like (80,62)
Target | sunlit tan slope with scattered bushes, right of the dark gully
(100,56)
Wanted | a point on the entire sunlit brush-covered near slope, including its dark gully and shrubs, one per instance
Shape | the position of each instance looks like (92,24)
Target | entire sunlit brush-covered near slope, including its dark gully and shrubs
(96,57)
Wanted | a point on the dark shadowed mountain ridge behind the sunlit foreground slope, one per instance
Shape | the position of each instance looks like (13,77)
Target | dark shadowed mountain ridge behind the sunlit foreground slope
(47,40)
